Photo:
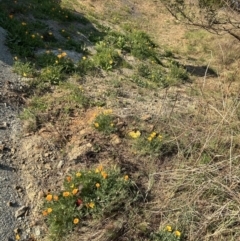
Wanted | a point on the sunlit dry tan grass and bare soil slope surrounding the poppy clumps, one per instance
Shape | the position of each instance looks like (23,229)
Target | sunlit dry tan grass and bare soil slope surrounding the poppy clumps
(191,181)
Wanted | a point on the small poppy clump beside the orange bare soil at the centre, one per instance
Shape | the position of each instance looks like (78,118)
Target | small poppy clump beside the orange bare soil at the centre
(104,122)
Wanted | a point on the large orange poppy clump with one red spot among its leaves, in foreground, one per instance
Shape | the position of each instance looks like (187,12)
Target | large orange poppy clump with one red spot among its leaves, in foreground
(87,194)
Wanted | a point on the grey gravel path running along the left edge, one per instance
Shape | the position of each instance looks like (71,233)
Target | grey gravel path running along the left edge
(10,200)
